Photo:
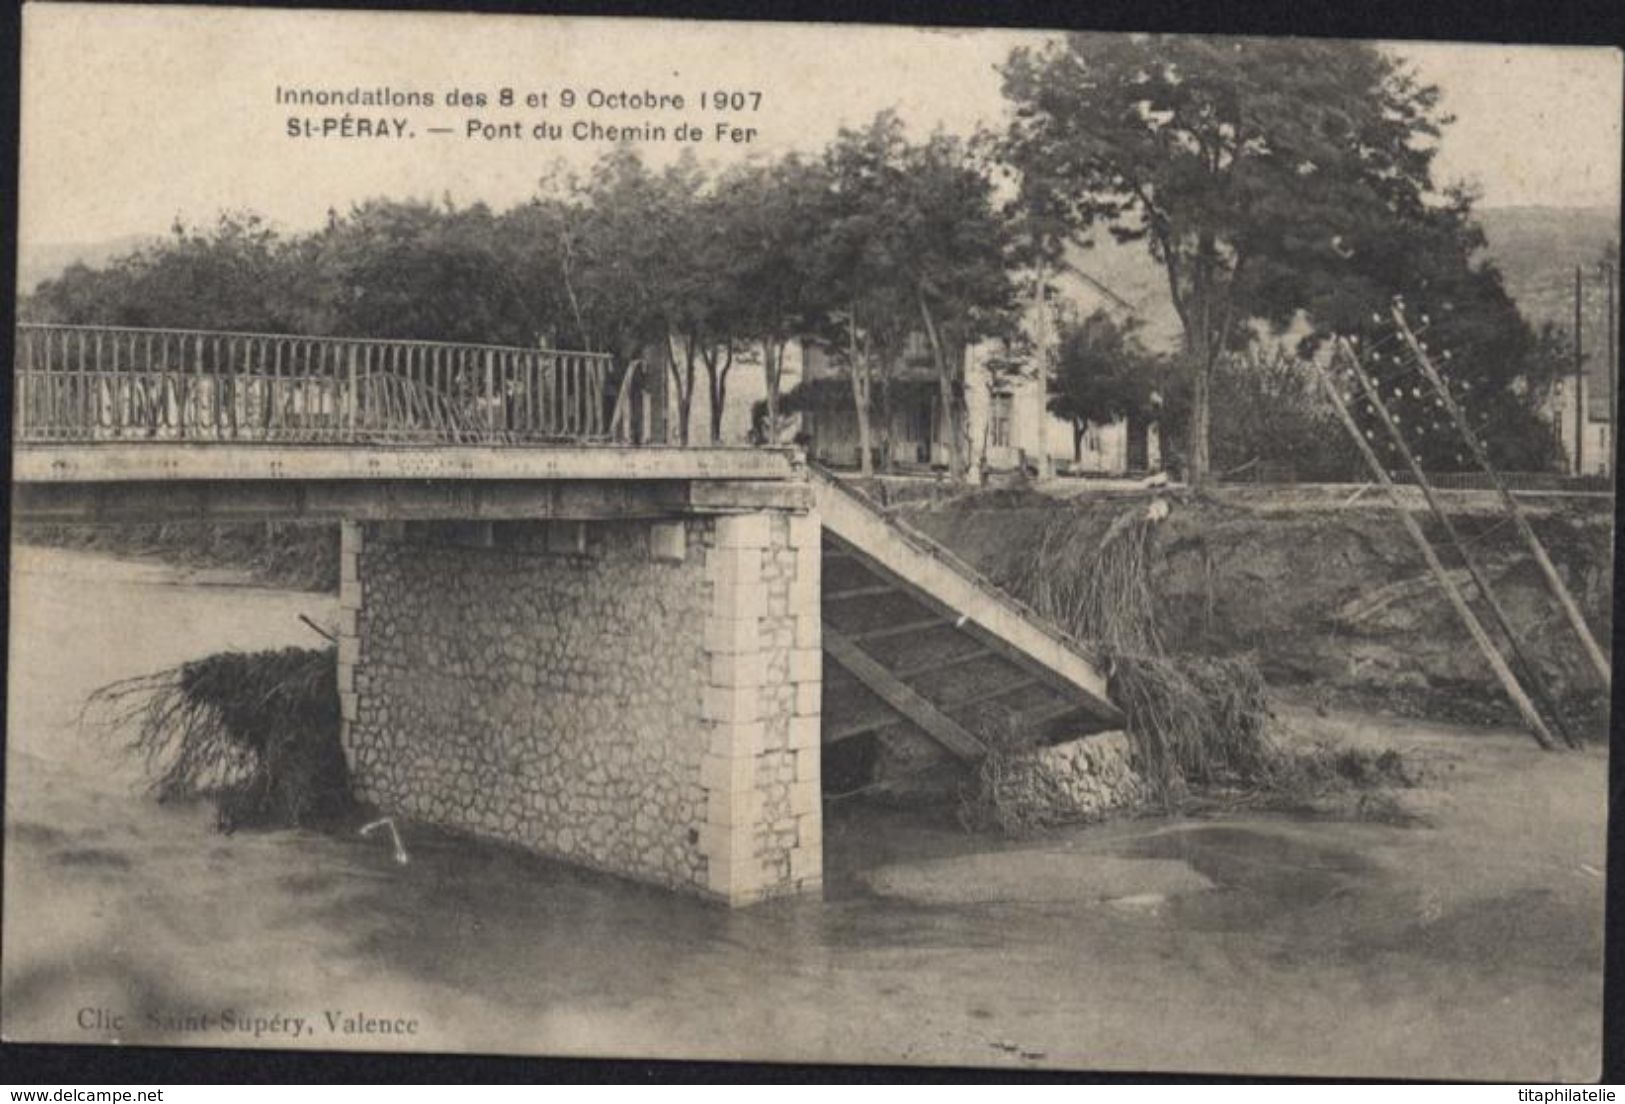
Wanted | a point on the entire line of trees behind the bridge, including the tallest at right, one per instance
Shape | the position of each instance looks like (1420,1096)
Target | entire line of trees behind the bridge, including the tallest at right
(1276,183)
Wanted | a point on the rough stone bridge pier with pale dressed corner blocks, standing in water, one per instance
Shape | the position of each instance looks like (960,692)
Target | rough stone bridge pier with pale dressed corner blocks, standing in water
(636,695)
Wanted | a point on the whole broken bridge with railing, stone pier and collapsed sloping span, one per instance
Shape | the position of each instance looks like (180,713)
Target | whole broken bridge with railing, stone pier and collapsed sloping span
(557,628)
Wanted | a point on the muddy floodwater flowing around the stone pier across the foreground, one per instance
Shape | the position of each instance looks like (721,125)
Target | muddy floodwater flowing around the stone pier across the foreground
(1465,947)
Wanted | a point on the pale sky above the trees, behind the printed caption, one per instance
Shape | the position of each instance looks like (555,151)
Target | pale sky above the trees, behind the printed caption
(134,118)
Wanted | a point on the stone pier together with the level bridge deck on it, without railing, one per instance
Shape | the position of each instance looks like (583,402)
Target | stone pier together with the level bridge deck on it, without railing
(609,654)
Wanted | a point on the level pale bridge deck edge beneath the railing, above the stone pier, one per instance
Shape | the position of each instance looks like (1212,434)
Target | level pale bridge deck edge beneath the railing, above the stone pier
(115,484)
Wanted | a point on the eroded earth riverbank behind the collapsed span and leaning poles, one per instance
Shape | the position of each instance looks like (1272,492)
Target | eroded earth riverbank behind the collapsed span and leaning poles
(1328,599)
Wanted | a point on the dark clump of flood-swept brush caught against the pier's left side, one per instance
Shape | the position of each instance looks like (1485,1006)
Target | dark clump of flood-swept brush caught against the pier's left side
(253,732)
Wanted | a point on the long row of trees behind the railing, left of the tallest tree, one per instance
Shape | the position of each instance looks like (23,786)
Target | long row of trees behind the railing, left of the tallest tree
(856,248)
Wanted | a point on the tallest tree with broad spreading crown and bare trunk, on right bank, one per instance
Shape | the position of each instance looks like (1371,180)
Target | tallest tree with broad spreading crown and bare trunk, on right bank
(1242,163)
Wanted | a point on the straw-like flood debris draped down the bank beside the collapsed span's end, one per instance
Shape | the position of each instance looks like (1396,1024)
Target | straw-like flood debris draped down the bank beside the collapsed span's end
(1200,728)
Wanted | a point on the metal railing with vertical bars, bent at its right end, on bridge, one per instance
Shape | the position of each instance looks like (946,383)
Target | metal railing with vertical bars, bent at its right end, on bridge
(103,383)
